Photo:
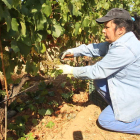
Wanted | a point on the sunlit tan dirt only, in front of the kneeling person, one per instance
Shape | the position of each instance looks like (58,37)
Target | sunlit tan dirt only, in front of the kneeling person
(82,125)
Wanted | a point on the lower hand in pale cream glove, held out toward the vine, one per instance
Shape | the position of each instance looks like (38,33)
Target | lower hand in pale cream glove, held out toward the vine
(66,69)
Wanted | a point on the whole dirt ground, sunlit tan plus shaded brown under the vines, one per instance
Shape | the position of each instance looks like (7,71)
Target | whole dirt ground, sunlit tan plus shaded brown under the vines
(73,120)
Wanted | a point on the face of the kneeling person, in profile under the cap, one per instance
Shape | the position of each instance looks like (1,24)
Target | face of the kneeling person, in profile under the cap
(110,33)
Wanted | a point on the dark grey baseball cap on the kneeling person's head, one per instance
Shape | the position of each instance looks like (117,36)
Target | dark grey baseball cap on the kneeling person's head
(114,13)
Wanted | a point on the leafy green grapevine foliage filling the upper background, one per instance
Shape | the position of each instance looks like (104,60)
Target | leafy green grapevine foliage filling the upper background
(37,31)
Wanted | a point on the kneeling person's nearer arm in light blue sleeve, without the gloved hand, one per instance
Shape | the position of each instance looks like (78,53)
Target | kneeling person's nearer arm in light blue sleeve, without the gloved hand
(113,61)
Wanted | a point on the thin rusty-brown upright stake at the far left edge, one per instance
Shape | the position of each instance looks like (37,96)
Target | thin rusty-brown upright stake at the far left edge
(7,96)
